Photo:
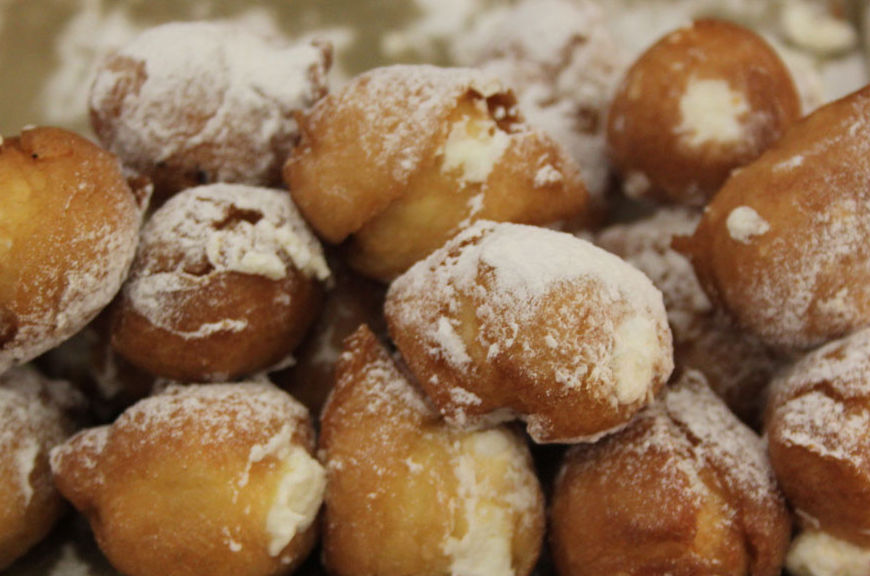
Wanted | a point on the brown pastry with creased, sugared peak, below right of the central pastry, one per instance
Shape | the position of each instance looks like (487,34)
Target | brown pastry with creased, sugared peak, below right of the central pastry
(686,490)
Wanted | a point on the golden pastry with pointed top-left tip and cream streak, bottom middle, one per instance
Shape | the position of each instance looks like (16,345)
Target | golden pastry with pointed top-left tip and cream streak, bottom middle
(406,494)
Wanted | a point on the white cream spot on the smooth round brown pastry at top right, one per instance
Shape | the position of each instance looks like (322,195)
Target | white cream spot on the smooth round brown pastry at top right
(711,113)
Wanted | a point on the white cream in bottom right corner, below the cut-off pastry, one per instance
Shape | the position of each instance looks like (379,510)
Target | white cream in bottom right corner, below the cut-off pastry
(818,554)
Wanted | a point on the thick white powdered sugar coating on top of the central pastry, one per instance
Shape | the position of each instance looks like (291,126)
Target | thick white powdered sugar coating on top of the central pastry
(509,272)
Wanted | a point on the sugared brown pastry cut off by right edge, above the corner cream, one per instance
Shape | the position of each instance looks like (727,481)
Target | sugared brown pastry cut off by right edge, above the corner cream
(818,428)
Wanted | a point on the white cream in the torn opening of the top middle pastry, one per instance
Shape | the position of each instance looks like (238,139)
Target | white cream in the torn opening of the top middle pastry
(473,148)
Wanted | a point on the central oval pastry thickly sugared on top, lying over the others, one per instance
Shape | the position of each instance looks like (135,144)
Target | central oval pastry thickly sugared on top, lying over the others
(508,320)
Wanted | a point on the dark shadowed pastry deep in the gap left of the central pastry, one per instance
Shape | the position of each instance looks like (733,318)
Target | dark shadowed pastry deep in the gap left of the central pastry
(353,301)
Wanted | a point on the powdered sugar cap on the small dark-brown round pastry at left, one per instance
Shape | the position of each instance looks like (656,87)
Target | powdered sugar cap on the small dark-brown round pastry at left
(211,230)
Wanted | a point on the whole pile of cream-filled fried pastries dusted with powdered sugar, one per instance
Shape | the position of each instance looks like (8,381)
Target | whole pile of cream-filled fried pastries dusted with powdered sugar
(404,325)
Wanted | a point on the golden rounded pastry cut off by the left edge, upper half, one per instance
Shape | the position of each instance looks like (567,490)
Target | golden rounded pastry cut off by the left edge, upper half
(68,231)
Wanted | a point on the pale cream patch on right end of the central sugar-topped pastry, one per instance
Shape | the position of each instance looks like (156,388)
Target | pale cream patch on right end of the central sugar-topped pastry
(634,354)
